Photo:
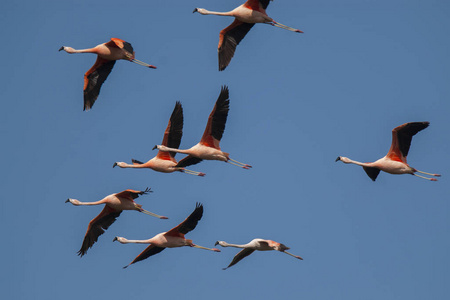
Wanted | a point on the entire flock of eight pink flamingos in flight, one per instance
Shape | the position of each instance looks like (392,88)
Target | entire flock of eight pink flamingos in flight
(246,15)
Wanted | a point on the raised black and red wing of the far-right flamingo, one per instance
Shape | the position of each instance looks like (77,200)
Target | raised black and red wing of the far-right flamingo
(401,139)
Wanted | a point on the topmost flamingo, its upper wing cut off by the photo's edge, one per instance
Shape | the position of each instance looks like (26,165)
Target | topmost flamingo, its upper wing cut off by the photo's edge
(246,15)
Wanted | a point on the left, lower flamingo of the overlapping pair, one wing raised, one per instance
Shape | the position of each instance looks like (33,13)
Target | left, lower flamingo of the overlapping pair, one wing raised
(165,161)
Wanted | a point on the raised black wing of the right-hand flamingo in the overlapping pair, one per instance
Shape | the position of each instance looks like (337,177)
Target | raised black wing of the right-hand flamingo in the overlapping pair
(217,120)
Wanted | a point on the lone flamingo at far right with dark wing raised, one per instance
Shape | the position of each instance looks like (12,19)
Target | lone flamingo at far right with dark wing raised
(395,160)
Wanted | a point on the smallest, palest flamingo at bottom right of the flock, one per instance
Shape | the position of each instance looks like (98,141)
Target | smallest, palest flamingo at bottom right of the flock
(255,244)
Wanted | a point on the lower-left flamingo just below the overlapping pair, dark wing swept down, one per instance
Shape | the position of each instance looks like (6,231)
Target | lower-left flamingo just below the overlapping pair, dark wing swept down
(114,205)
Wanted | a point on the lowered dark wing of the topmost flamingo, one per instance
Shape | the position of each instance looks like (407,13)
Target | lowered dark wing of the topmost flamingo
(229,38)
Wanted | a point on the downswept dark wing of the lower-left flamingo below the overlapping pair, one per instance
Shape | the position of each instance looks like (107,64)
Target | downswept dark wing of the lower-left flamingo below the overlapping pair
(97,227)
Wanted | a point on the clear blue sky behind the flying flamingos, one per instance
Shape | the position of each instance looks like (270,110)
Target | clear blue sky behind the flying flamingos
(298,101)
